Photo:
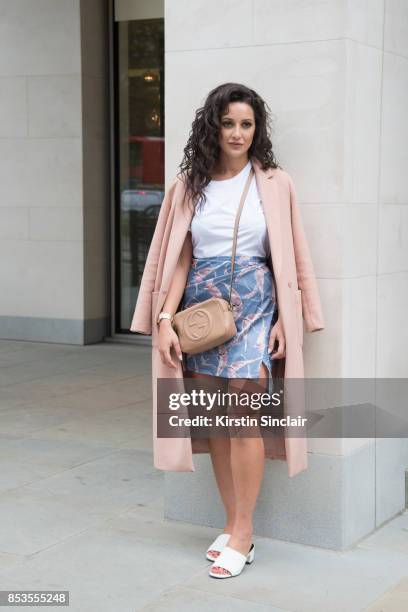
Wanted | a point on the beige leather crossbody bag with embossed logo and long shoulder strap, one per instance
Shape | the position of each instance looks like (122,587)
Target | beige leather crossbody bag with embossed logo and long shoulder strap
(207,324)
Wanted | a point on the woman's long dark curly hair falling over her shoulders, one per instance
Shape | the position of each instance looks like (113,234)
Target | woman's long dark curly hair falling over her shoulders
(202,149)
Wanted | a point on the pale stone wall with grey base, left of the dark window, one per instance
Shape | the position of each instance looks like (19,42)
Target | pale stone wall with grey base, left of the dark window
(54,190)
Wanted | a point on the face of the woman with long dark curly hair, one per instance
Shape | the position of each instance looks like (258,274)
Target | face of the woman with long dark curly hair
(237,130)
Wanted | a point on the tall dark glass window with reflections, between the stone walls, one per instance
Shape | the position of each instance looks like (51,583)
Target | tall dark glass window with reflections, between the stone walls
(140,153)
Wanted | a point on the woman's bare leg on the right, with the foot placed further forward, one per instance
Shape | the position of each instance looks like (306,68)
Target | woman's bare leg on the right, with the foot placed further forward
(247,467)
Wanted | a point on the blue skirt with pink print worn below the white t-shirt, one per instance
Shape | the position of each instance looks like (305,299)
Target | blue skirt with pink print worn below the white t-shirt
(255,312)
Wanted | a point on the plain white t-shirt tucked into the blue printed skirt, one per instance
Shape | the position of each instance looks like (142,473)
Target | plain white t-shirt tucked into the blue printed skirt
(212,225)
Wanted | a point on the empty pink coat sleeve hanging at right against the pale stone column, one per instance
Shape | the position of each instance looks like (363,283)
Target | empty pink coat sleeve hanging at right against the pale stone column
(311,305)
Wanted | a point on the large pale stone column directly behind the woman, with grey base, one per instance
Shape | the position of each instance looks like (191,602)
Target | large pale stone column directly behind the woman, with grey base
(335,75)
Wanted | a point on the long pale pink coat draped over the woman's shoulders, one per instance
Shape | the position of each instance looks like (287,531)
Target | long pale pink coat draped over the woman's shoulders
(297,296)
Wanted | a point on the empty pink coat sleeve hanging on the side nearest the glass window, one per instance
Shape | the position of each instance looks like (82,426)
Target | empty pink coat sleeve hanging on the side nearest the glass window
(142,316)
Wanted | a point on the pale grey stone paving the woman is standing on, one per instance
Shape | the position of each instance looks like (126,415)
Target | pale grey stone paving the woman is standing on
(81,504)
